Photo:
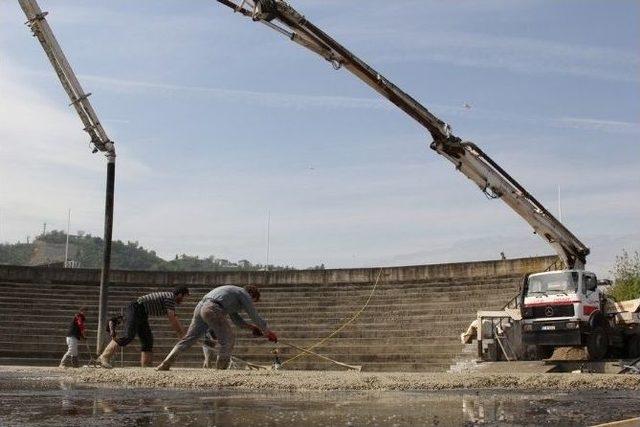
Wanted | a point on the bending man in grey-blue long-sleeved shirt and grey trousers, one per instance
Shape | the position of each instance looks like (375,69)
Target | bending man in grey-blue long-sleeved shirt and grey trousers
(213,313)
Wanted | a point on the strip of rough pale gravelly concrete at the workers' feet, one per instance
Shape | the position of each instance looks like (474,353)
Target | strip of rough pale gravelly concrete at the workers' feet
(332,380)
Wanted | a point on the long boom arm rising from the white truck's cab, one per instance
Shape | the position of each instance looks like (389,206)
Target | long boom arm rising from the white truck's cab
(466,156)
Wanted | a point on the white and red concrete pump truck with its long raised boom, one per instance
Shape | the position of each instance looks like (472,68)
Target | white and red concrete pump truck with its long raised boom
(556,308)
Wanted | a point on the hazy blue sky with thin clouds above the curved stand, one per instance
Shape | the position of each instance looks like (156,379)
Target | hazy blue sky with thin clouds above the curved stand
(221,123)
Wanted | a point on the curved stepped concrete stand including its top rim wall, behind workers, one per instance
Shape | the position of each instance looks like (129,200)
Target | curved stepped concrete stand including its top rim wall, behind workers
(412,323)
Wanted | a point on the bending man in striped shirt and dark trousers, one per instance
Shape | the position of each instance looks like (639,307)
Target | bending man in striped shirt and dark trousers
(137,313)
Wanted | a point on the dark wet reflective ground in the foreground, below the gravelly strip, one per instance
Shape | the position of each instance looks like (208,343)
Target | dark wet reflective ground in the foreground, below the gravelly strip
(27,401)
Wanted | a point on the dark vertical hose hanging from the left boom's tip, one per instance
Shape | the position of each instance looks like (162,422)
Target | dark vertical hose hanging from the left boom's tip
(106,261)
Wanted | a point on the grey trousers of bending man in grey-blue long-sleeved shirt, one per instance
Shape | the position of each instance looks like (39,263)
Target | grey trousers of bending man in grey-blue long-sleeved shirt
(209,315)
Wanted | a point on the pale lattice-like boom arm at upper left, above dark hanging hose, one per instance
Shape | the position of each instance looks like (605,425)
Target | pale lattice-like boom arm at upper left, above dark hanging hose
(42,31)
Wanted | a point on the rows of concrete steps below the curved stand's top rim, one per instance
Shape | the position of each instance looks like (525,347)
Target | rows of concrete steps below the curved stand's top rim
(407,326)
